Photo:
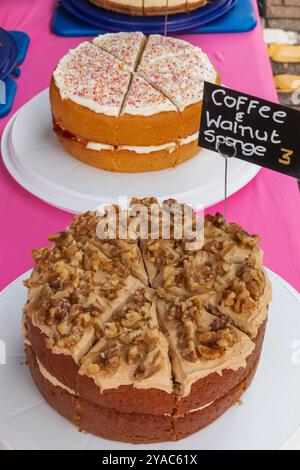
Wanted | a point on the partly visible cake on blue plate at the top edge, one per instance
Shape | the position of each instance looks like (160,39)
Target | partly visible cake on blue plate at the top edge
(150,7)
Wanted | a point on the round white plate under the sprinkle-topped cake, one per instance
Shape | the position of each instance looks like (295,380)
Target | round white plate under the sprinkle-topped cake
(34,157)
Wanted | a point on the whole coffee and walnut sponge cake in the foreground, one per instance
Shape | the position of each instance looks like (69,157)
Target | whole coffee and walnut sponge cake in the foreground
(145,340)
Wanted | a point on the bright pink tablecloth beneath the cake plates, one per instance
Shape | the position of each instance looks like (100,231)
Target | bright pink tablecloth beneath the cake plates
(269,205)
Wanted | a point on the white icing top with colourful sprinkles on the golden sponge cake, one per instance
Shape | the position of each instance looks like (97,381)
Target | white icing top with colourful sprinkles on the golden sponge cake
(173,73)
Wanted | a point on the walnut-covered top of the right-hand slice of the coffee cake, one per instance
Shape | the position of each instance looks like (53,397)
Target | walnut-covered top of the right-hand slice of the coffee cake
(227,273)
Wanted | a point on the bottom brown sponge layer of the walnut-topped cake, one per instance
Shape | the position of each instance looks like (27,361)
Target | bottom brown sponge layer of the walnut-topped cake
(135,427)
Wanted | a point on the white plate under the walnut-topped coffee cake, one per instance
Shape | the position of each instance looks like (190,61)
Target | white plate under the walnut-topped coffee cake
(269,417)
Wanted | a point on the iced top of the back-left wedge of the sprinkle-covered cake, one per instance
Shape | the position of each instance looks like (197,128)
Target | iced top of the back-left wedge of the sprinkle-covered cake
(126,47)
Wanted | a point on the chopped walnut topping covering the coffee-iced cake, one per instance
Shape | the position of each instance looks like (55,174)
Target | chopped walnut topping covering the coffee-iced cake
(80,285)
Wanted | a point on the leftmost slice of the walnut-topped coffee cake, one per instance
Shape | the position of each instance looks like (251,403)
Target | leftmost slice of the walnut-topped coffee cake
(73,290)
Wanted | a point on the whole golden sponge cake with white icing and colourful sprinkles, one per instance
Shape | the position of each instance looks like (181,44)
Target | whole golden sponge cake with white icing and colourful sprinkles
(128,103)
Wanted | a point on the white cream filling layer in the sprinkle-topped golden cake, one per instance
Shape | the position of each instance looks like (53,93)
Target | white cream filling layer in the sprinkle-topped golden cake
(171,146)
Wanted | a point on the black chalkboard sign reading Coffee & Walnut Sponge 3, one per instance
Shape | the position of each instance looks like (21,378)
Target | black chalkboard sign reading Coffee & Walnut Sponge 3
(262,132)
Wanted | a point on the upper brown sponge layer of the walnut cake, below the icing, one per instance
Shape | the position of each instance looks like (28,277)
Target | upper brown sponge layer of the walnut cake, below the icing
(126,398)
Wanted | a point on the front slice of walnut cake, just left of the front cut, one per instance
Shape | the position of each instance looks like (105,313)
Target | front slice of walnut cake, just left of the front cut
(129,366)
